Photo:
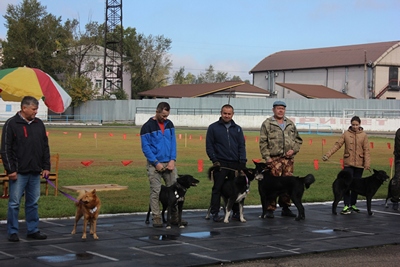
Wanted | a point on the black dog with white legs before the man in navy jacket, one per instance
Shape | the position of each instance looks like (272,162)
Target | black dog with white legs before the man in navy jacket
(234,190)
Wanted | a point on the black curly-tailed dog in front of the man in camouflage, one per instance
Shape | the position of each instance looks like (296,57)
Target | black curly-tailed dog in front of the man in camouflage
(270,187)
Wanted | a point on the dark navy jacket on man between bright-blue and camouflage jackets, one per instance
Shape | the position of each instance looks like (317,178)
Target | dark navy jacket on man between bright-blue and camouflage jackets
(226,145)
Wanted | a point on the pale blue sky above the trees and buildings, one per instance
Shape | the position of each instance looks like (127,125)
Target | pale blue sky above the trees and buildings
(234,35)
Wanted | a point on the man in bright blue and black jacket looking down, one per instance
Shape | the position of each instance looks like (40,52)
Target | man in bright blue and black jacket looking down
(159,147)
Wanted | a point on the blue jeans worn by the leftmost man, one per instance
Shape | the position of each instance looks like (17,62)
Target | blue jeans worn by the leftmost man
(30,184)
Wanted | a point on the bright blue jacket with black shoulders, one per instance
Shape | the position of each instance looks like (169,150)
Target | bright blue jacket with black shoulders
(157,146)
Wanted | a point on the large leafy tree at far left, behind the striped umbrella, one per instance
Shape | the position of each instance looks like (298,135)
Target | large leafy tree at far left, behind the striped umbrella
(32,37)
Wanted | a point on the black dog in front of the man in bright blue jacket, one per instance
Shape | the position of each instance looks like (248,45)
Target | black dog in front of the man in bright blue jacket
(174,195)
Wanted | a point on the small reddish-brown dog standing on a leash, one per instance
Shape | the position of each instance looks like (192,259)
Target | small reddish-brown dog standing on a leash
(88,206)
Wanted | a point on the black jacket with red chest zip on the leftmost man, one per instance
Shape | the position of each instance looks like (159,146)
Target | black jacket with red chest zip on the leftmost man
(24,146)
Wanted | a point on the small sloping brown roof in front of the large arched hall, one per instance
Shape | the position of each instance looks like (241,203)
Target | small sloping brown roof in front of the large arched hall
(314,91)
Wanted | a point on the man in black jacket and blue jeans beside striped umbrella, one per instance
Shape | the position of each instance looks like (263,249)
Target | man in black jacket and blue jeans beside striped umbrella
(25,153)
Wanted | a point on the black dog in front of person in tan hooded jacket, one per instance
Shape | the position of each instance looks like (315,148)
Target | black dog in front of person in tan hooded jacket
(366,186)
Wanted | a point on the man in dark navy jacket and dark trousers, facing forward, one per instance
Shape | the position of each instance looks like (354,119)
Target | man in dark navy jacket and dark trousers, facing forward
(225,146)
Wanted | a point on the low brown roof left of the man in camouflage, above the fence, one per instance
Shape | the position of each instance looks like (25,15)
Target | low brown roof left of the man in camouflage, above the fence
(204,89)
